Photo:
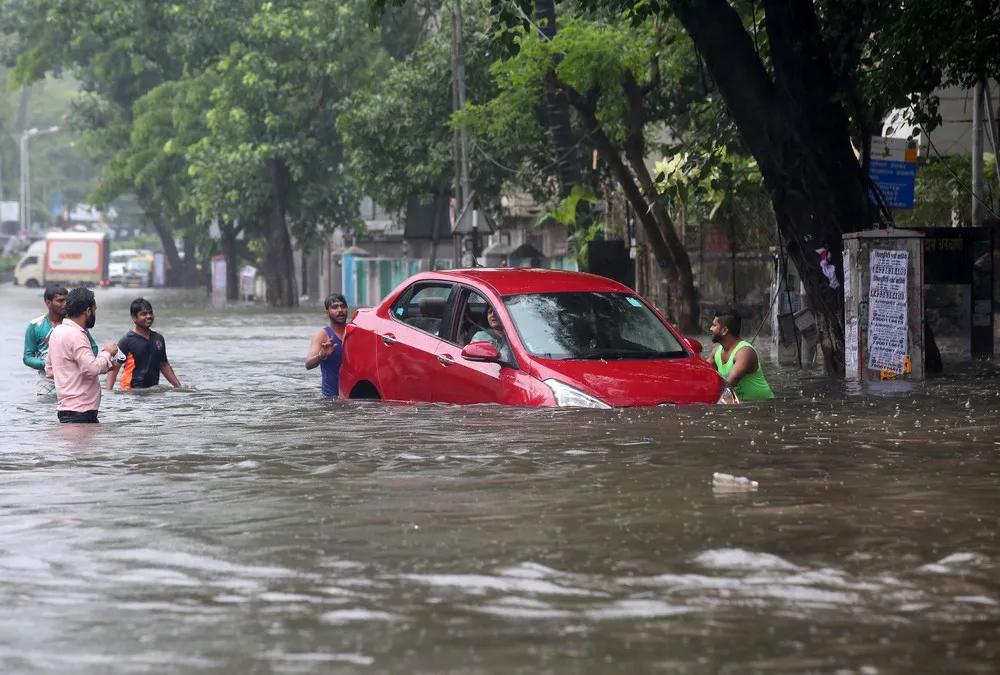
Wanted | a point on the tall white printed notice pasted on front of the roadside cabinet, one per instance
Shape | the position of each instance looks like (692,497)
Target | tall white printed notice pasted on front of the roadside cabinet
(887,310)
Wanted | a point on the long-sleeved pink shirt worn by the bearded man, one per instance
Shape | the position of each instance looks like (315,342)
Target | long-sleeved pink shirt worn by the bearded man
(72,363)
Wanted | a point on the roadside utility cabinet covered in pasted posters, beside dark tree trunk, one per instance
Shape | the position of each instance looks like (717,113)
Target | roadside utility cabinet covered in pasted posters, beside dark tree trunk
(884,305)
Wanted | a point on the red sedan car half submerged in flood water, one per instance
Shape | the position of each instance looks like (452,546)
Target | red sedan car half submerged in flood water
(522,337)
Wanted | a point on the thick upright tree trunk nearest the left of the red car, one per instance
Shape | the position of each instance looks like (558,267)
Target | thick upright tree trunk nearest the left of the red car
(279,264)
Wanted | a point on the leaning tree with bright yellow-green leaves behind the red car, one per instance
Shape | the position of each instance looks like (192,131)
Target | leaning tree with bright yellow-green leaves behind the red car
(607,71)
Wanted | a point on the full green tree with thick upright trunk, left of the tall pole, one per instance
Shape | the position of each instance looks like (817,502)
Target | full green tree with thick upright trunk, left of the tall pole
(272,153)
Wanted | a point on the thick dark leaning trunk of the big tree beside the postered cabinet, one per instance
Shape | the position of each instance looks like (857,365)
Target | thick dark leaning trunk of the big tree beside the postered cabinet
(797,131)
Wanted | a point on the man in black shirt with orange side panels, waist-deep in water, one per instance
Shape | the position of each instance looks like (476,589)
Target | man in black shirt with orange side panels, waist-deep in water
(145,353)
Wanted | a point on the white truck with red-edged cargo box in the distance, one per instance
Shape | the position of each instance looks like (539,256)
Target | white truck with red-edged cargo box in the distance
(66,258)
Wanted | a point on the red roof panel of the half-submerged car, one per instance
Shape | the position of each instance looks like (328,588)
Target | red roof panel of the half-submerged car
(520,280)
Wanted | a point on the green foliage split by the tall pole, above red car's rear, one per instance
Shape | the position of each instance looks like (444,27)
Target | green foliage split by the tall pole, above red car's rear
(398,138)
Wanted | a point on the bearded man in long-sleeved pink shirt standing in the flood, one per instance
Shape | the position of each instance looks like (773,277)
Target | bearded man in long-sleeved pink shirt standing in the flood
(72,363)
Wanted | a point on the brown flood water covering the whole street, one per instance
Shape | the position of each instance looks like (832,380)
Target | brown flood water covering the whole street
(242,524)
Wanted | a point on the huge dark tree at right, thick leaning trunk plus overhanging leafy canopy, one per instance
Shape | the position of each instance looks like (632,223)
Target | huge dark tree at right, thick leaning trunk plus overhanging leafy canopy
(799,78)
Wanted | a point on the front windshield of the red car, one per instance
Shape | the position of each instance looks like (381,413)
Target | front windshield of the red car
(568,326)
